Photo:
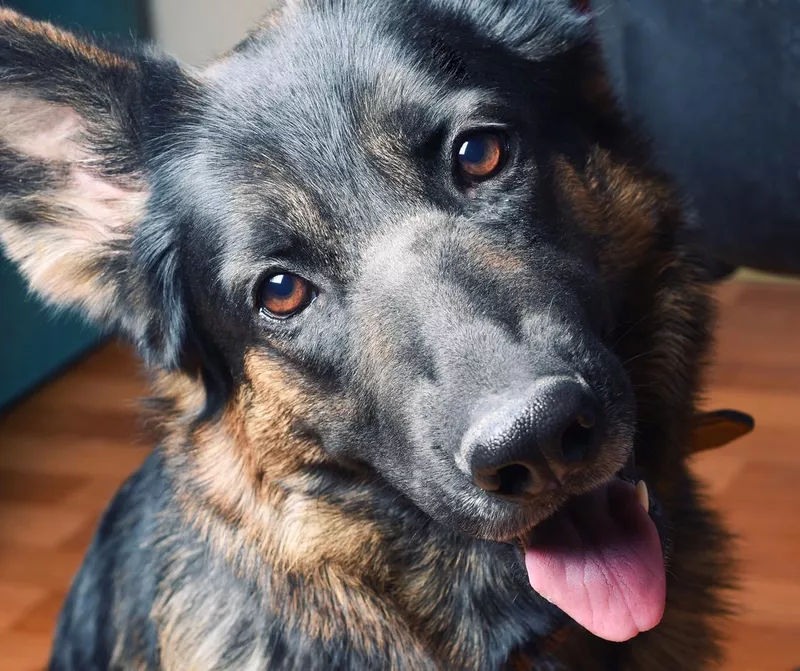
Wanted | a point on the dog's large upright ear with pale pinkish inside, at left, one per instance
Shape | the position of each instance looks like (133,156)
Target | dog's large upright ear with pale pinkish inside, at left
(78,128)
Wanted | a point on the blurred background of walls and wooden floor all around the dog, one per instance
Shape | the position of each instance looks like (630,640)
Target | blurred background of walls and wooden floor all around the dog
(714,84)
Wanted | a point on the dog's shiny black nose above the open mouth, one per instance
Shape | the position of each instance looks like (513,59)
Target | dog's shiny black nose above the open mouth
(519,447)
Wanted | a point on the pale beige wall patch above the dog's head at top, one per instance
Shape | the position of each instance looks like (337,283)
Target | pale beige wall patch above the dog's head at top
(196,30)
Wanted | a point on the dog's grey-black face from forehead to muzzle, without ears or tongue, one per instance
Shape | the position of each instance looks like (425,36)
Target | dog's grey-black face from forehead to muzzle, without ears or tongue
(382,216)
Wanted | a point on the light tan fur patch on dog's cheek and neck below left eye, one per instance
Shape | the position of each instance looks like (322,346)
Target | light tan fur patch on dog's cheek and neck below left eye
(248,465)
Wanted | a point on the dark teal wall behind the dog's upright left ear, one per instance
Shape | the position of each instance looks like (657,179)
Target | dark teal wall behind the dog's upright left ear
(35,343)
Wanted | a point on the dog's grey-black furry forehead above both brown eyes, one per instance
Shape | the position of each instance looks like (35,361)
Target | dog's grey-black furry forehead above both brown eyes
(313,130)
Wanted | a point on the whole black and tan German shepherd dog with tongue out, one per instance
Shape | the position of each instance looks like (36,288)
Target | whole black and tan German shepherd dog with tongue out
(426,332)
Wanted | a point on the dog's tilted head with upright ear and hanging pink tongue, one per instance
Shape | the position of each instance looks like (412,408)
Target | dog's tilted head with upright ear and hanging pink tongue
(415,236)
